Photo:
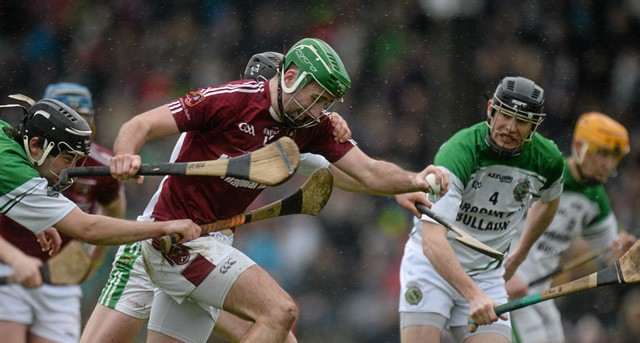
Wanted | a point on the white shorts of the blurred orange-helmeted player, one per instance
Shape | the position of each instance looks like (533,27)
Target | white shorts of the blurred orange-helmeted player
(538,323)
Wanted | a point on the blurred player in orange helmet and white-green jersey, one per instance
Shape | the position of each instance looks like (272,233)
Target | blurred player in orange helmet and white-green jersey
(599,144)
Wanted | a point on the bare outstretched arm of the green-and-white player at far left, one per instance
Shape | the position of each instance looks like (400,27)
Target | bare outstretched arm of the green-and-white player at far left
(101,230)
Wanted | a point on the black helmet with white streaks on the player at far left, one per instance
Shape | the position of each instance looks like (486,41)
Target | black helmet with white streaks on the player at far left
(62,129)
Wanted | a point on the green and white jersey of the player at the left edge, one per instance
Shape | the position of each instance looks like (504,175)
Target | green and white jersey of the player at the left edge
(24,194)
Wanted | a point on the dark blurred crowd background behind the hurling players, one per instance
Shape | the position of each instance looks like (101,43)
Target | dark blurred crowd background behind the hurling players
(421,70)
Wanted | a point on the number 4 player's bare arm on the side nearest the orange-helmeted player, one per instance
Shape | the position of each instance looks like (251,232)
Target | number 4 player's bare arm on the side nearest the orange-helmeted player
(538,219)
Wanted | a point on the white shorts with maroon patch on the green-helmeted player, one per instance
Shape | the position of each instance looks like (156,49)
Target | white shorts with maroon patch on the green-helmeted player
(205,264)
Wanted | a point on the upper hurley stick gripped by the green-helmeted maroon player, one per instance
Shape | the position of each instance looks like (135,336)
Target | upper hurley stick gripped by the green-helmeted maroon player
(270,165)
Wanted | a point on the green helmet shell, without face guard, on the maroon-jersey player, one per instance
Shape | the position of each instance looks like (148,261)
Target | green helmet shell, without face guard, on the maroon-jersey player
(317,61)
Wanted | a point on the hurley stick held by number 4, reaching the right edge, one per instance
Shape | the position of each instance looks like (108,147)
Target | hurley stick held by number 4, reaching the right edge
(625,270)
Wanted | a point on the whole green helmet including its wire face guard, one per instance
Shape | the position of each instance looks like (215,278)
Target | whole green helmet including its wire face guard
(316,62)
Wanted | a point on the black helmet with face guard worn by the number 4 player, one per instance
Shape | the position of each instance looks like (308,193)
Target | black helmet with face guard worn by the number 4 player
(522,99)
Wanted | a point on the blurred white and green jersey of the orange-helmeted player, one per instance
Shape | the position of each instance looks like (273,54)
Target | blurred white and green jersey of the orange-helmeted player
(583,211)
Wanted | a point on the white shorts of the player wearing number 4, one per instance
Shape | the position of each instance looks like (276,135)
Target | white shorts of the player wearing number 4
(423,290)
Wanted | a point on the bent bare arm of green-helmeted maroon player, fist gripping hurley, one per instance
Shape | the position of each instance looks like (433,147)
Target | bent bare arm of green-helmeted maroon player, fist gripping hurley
(153,124)
